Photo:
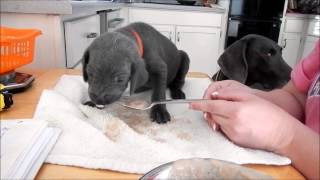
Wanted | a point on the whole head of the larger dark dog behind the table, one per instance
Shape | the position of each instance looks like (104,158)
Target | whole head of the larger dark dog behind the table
(255,59)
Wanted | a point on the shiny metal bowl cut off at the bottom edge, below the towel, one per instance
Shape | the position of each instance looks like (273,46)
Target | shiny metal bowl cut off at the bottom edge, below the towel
(202,168)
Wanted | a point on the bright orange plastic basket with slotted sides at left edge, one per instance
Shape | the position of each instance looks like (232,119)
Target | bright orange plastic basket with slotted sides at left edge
(17,47)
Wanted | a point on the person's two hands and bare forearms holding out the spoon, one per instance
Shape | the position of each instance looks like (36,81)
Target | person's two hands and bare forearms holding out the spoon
(281,131)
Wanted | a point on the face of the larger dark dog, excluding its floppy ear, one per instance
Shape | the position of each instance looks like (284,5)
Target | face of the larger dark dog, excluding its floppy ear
(265,62)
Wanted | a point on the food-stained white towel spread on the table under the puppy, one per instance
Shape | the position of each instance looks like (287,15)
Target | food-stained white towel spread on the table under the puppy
(125,140)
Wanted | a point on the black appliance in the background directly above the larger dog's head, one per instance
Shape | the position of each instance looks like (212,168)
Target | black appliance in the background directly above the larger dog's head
(261,17)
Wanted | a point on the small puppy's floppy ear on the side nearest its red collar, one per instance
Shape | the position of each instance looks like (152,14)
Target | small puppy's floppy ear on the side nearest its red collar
(139,75)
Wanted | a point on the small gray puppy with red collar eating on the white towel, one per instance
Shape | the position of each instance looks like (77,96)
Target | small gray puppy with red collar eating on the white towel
(138,54)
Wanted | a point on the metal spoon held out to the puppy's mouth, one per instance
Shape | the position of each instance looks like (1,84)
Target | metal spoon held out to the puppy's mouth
(144,105)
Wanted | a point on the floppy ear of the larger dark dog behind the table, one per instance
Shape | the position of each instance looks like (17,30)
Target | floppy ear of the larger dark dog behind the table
(233,61)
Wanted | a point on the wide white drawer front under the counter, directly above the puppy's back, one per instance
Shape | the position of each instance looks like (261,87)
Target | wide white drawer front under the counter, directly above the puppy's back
(175,17)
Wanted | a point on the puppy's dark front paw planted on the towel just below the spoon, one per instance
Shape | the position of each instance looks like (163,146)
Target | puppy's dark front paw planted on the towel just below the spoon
(160,114)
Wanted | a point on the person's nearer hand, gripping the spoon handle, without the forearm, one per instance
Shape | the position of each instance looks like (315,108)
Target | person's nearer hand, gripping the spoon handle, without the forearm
(248,120)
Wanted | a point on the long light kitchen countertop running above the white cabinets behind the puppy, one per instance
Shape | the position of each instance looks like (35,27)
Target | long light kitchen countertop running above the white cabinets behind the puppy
(66,7)
